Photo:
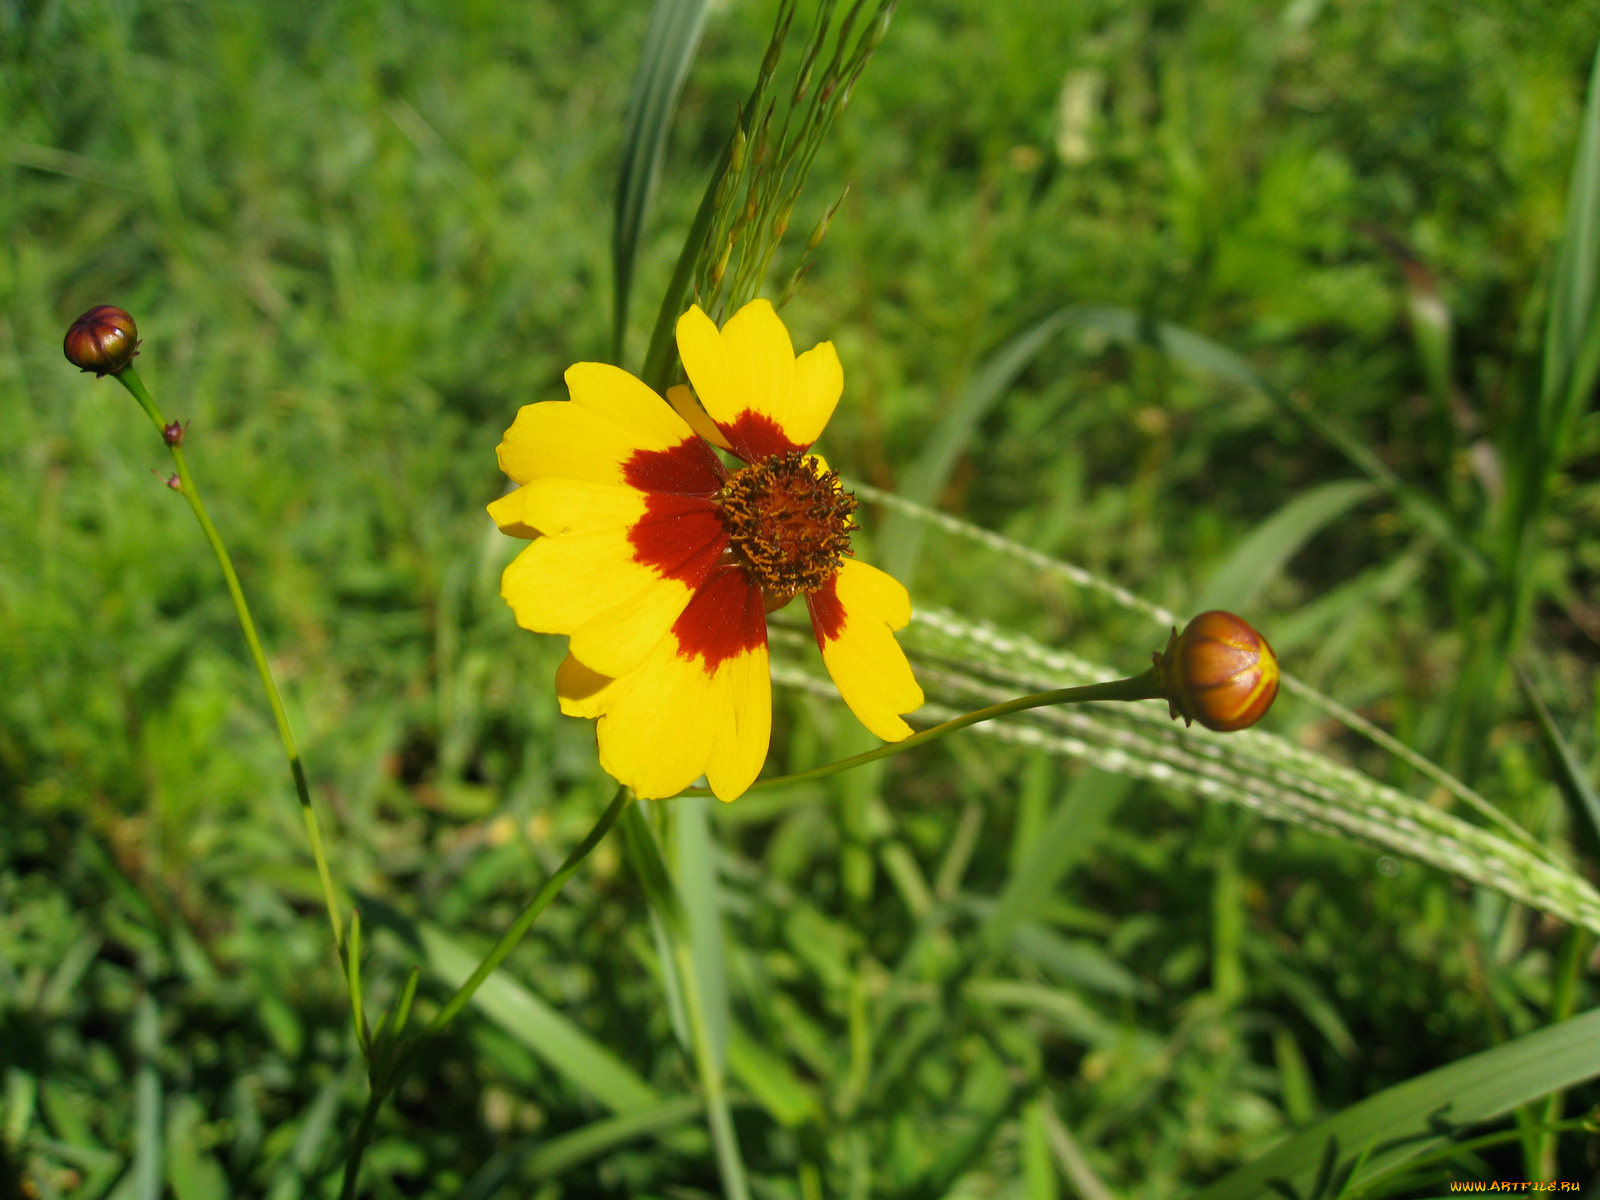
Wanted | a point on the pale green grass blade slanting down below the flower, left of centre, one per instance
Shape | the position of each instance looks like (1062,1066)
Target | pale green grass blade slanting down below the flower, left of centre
(546,1033)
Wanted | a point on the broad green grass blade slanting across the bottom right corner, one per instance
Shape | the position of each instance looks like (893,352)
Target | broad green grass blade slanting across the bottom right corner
(1409,1119)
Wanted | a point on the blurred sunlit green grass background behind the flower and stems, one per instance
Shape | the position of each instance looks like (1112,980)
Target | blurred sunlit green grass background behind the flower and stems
(359,236)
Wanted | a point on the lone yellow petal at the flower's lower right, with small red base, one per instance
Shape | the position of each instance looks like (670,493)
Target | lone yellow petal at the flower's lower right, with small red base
(854,618)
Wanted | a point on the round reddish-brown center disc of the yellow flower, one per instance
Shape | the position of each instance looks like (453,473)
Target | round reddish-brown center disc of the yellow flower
(788,524)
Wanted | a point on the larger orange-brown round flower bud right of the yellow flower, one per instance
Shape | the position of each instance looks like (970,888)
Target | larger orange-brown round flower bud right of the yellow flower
(1220,673)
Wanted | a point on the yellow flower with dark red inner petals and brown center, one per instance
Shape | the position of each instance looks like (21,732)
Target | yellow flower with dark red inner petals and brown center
(662,564)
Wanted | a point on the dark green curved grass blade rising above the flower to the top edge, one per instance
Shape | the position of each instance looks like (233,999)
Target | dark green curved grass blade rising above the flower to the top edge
(676,28)
